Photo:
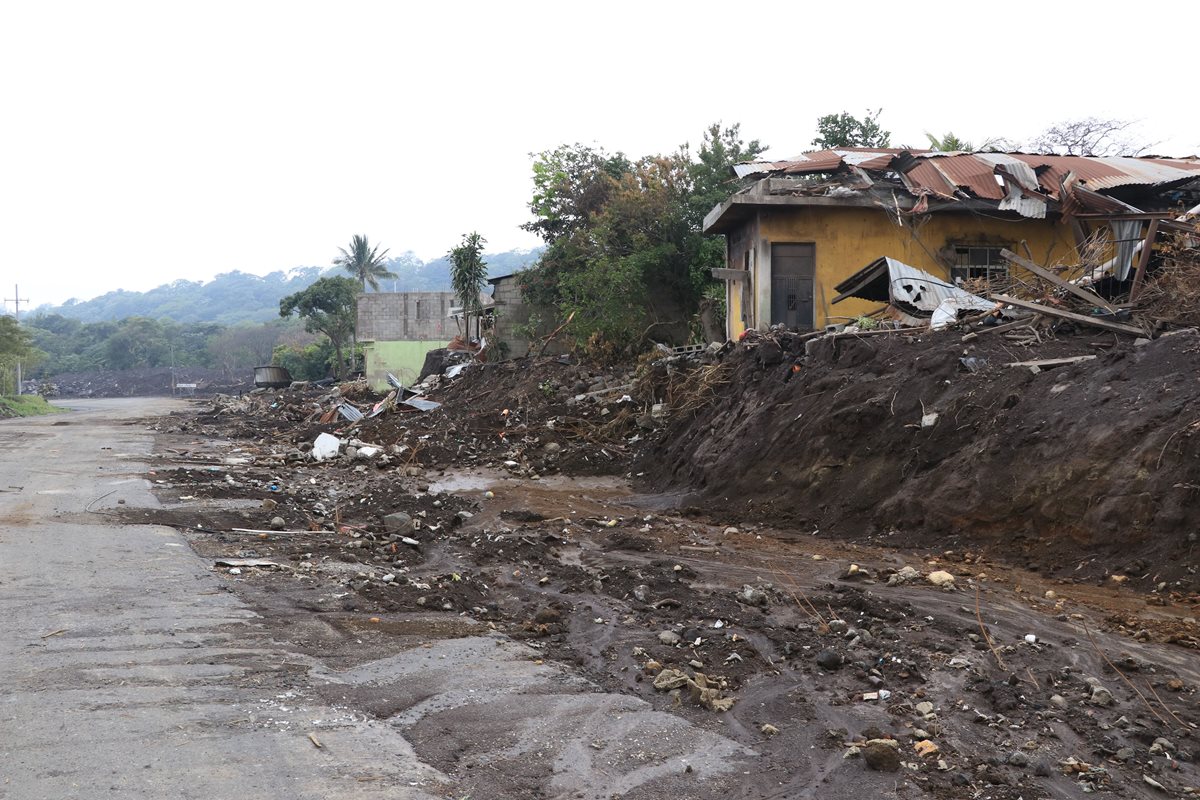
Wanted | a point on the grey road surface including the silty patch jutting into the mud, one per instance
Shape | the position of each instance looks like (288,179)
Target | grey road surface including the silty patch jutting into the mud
(129,671)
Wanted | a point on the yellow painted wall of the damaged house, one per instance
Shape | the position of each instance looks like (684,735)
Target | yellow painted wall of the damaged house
(849,239)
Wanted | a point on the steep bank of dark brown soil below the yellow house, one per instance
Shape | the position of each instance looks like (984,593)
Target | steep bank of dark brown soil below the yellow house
(1085,470)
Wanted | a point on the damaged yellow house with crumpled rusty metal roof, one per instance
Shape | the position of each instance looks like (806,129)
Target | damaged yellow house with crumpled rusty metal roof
(833,236)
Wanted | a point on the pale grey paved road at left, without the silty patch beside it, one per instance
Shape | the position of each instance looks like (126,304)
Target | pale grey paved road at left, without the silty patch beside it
(125,671)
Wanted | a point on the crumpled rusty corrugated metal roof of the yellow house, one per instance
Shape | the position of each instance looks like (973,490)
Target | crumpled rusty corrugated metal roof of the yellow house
(915,182)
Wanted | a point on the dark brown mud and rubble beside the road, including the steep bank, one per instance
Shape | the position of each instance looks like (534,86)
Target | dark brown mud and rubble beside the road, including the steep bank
(593,575)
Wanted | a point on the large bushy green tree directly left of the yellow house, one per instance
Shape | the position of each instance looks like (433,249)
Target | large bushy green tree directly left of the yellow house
(626,257)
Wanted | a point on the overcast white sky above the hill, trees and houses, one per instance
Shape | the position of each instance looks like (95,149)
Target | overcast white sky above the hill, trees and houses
(147,142)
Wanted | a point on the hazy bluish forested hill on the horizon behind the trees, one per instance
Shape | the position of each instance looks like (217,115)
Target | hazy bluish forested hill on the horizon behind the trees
(236,297)
